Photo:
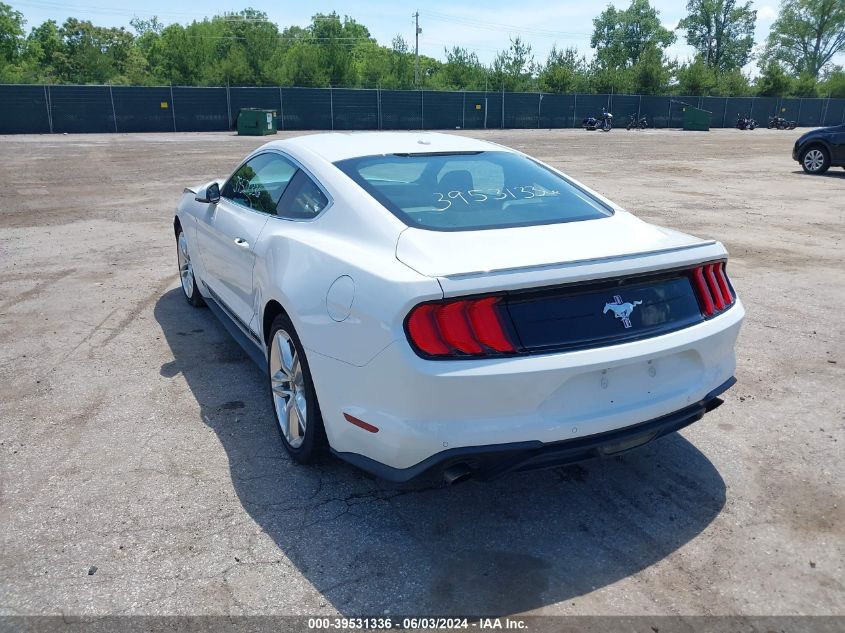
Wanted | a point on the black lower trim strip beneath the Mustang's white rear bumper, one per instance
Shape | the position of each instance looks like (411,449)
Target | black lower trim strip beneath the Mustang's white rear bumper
(493,461)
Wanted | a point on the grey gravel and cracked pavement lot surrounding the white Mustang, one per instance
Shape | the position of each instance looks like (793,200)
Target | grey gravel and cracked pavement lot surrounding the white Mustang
(141,472)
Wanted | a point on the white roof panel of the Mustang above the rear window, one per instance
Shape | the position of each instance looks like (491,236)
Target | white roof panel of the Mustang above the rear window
(335,146)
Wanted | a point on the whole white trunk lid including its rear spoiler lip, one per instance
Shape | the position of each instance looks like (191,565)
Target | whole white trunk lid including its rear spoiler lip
(618,247)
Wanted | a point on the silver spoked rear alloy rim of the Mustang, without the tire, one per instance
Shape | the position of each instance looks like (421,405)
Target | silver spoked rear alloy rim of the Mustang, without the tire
(288,384)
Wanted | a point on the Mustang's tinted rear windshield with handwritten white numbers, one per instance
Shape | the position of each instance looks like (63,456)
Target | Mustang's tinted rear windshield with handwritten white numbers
(472,190)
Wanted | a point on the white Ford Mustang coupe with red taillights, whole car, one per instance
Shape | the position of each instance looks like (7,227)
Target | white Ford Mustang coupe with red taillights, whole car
(430,304)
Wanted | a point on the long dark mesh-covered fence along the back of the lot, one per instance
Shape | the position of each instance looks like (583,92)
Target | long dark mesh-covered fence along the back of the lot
(74,109)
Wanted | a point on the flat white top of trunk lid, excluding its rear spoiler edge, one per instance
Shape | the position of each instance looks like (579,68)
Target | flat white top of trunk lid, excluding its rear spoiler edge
(451,253)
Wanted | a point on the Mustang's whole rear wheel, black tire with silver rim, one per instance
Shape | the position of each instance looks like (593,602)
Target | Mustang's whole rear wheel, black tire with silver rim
(295,406)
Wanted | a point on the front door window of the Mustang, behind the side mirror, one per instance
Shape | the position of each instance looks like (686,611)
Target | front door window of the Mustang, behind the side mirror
(260,182)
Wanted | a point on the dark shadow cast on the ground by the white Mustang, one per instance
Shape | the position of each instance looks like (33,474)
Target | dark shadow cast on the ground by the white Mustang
(510,546)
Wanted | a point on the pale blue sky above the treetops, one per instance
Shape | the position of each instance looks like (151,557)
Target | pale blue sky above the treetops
(482,27)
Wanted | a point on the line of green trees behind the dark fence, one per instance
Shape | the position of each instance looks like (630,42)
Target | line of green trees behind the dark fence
(246,48)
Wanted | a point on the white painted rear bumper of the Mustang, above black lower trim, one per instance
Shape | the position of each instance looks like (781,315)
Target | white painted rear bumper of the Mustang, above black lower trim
(424,408)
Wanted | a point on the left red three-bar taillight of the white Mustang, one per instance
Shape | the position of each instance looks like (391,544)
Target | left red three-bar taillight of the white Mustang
(471,327)
